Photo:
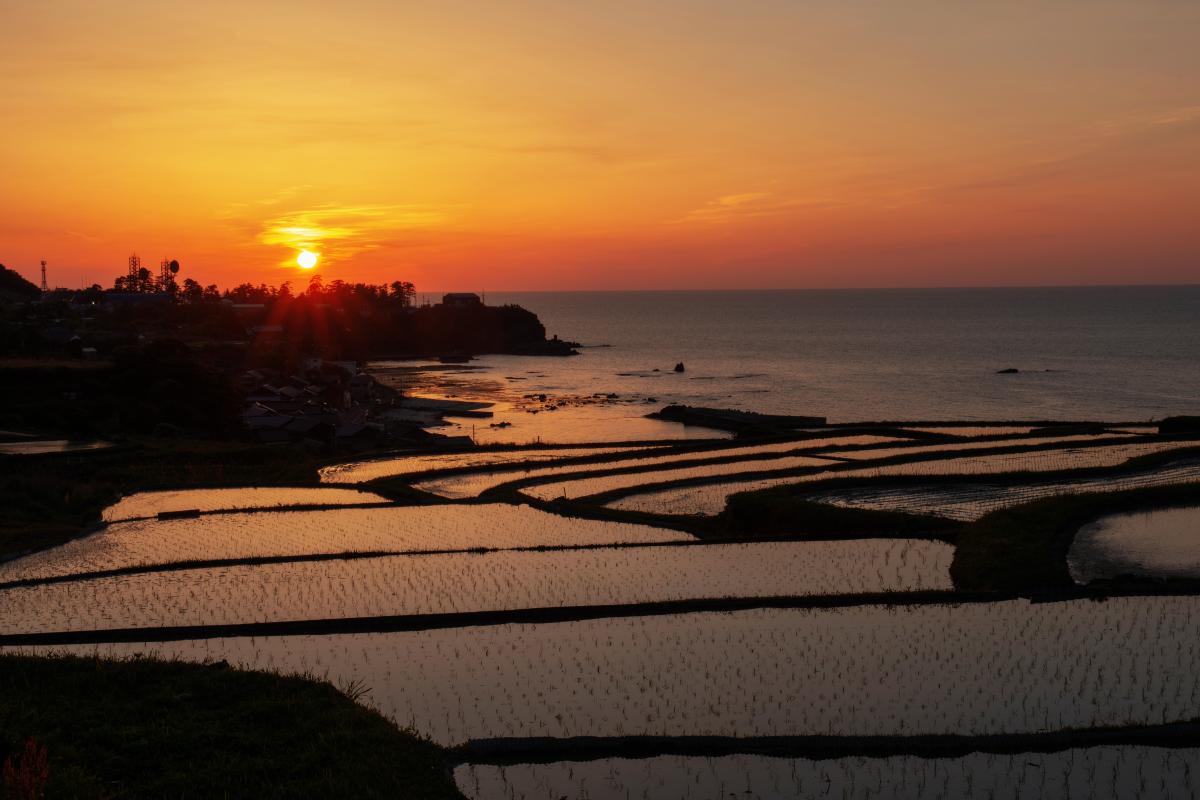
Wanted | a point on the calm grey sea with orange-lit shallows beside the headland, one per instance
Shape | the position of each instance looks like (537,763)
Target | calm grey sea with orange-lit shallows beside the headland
(1121,354)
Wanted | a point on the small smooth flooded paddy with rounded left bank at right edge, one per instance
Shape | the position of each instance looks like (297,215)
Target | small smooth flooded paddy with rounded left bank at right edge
(1157,544)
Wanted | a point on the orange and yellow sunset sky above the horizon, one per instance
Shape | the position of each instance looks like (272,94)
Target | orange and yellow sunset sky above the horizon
(605,146)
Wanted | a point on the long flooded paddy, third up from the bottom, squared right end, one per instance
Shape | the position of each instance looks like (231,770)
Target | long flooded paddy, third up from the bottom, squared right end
(449,584)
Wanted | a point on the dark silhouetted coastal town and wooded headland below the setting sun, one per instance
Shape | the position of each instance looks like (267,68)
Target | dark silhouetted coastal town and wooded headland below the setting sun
(272,365)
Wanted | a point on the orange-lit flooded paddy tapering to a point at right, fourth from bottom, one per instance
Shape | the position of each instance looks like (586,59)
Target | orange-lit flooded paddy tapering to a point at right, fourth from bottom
(304,533)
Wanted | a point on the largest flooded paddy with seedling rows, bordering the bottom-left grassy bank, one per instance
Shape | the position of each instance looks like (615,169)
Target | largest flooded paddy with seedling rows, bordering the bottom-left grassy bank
(1005,667)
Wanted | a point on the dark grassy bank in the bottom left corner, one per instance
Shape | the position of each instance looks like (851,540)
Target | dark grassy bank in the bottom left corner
(142,729)
